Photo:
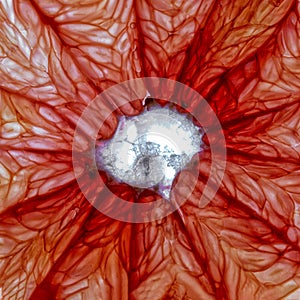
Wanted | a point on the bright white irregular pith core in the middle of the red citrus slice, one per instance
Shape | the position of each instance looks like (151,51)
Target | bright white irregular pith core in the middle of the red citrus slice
(148,150)
